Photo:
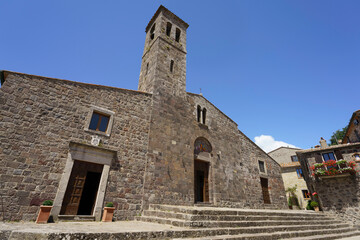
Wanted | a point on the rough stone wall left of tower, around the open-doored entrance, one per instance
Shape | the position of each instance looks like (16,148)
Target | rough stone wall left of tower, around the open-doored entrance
(39,117)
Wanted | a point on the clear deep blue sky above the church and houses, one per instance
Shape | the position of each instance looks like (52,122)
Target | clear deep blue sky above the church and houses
(285,69)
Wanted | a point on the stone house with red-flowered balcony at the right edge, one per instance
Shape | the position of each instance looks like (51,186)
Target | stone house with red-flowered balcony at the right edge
(336,181)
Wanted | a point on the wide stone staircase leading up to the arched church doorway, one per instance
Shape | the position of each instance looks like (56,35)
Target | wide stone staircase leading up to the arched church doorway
(200,223)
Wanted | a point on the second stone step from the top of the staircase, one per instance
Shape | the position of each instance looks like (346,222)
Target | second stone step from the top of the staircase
(185,216)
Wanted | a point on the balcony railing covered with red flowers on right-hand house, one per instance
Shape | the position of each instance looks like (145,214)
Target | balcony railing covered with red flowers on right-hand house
(334,168)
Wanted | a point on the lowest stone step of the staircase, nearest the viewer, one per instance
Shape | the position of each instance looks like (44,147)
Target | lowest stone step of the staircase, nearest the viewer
(293,235)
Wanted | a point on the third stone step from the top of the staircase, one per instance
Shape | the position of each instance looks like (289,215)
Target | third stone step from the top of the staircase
(223,224)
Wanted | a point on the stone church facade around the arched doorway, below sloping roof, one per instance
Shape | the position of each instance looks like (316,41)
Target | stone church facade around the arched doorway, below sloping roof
(234,171)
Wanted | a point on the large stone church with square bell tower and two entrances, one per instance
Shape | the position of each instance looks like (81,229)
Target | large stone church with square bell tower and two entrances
(83,145)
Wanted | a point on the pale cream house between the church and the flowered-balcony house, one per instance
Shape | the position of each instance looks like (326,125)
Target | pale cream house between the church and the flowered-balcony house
(291,172)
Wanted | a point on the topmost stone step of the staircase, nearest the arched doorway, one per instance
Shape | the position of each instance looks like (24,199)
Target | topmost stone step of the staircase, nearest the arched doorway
(231,211)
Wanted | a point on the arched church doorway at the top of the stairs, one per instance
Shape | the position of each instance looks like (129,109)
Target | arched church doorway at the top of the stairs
(202,159)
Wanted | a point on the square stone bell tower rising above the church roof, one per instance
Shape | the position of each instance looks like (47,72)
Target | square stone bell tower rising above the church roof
(163,66)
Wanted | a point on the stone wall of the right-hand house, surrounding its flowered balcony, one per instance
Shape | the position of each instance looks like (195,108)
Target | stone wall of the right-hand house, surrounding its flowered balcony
(339,195)
